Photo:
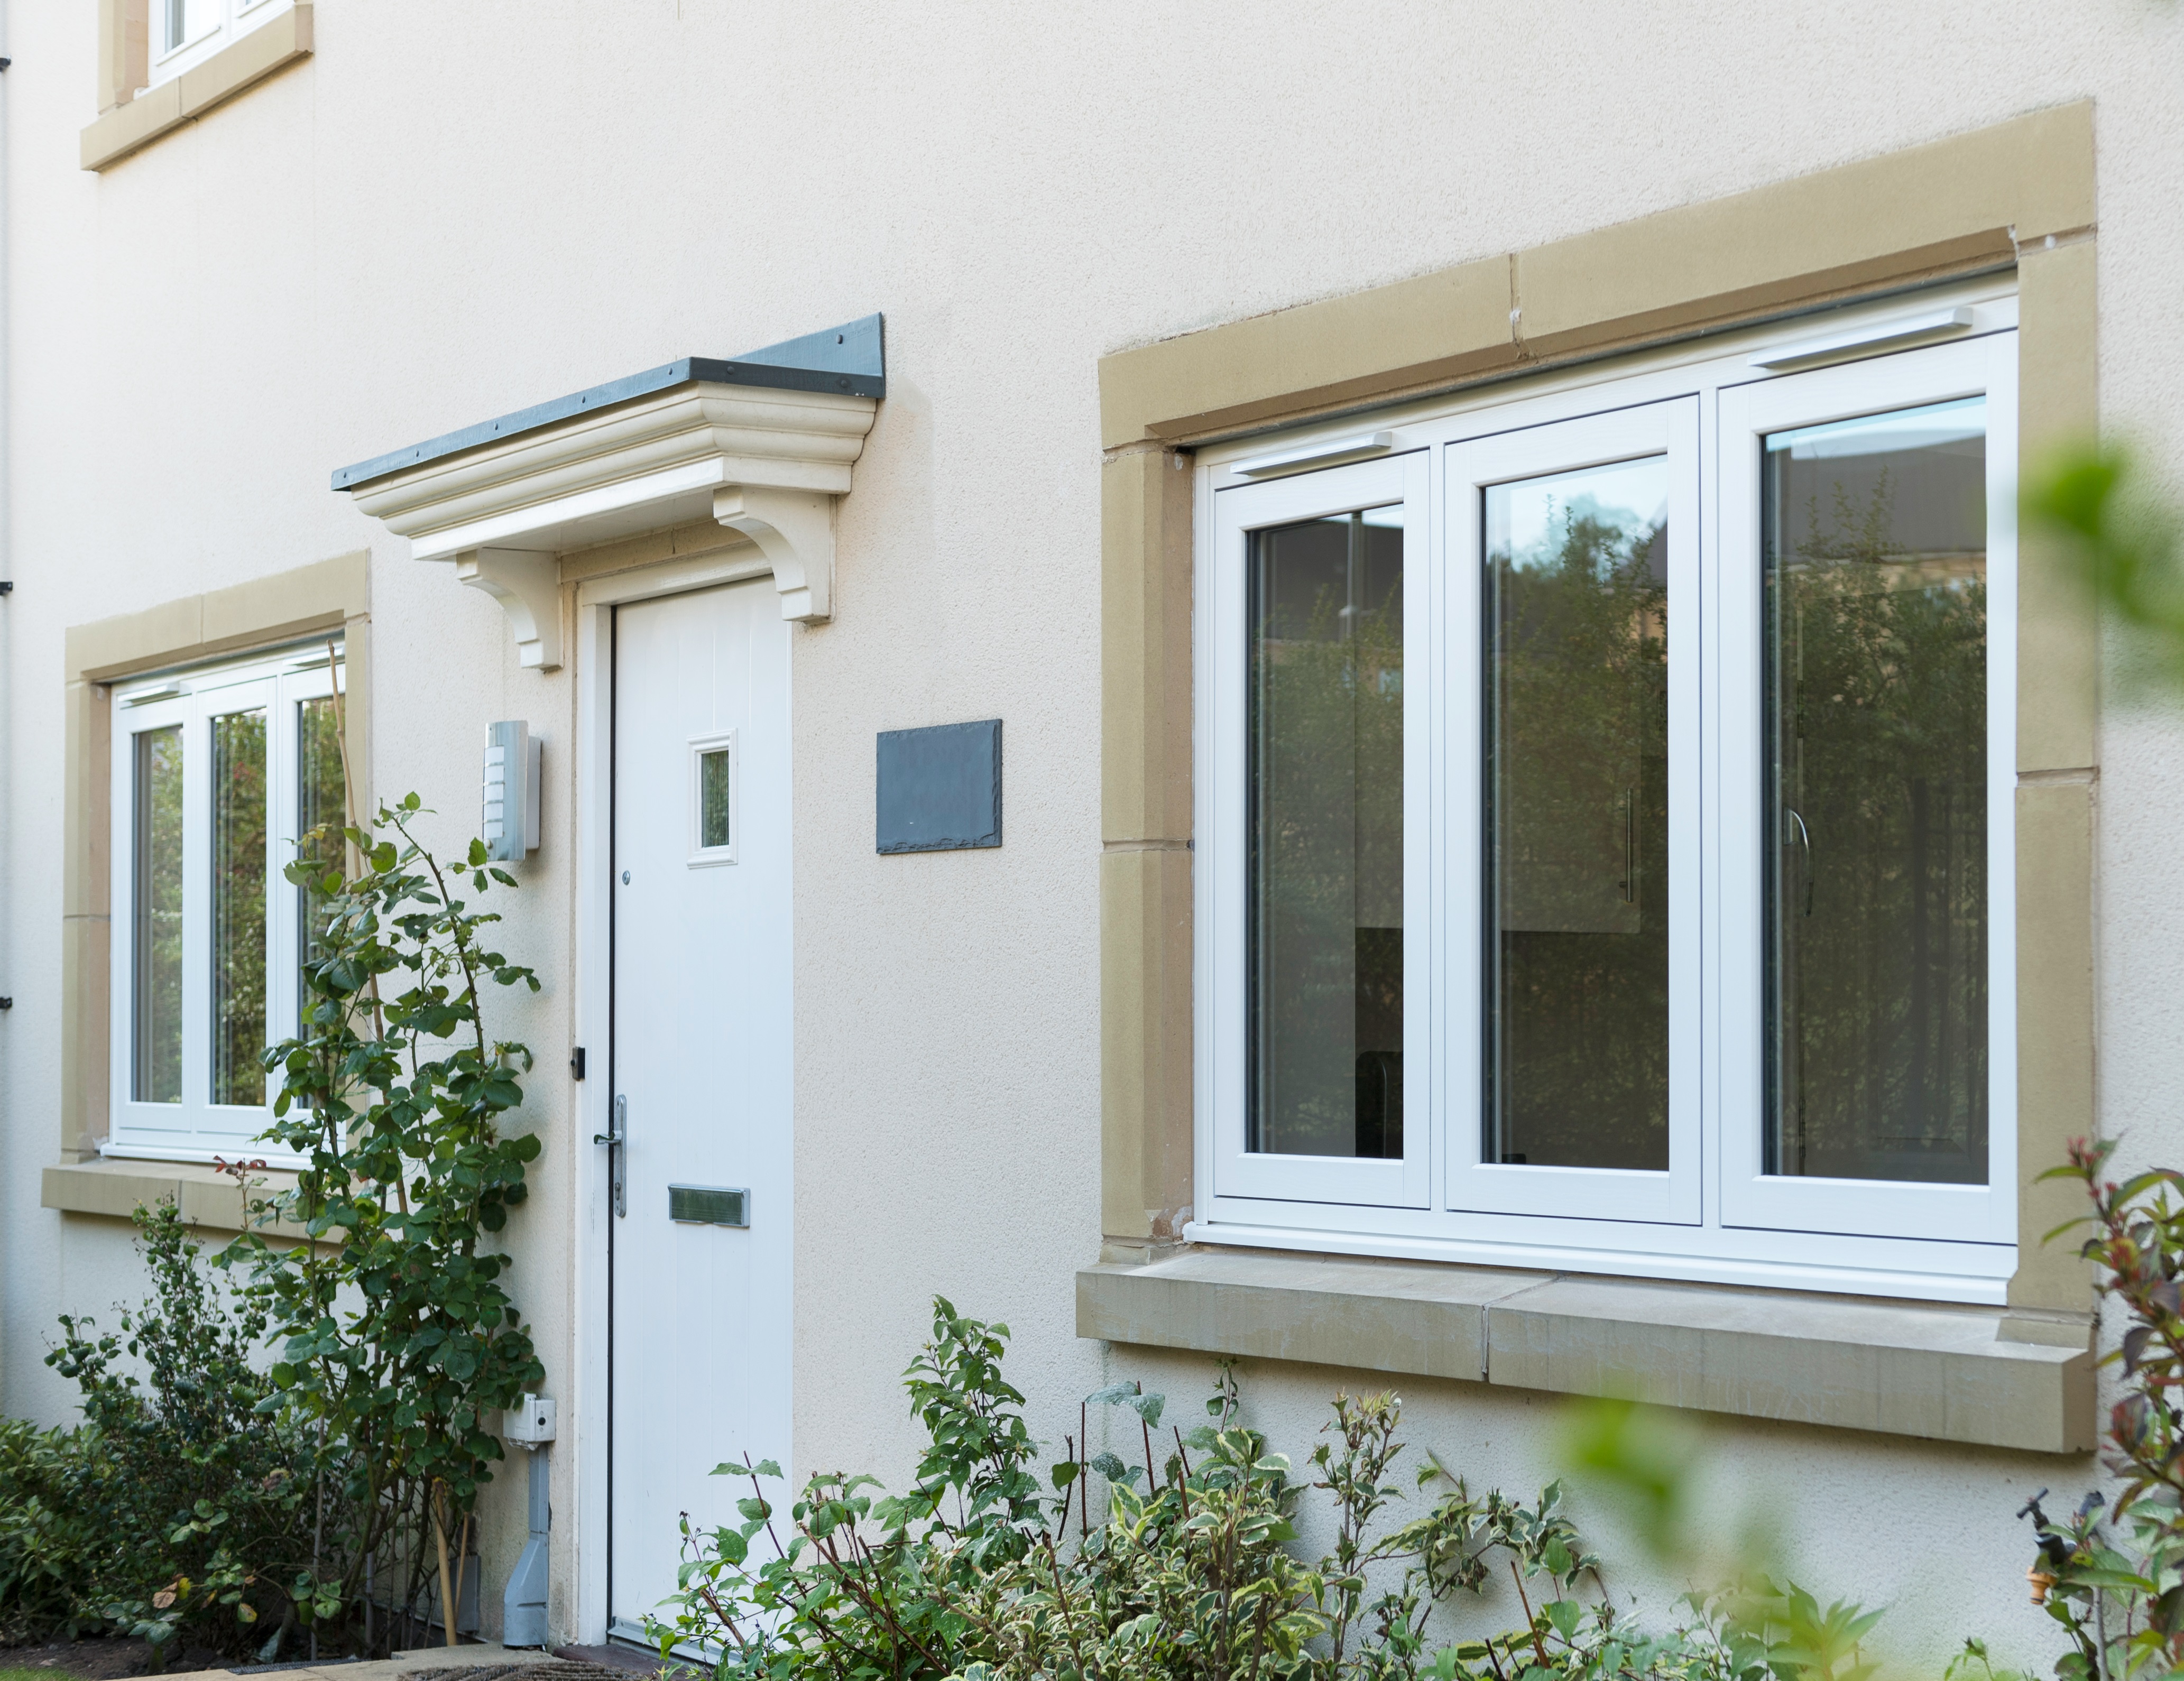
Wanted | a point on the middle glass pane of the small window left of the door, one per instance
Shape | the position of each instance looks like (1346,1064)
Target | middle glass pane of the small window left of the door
(239,907)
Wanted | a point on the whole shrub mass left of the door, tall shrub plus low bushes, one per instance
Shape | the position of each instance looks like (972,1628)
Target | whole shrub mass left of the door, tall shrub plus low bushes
(305,1455)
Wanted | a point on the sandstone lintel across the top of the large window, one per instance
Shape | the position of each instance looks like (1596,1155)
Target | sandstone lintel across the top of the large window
(1949,206)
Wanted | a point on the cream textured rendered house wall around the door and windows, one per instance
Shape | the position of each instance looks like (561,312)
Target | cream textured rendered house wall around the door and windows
(458,211)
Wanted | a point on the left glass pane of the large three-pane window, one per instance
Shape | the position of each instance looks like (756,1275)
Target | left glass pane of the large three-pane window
(1327,837)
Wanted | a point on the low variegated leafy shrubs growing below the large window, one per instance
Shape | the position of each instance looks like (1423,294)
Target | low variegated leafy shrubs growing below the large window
(1191,1571)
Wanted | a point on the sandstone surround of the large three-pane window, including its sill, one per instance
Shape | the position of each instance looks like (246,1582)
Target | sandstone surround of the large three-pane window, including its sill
(2017,195)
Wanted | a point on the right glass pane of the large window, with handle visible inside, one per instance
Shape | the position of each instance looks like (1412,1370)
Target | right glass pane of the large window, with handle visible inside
(1877,763)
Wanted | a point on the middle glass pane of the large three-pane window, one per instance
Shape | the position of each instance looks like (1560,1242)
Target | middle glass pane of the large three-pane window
(1578,818)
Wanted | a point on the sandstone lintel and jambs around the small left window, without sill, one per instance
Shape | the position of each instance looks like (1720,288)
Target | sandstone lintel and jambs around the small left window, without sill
(331,597)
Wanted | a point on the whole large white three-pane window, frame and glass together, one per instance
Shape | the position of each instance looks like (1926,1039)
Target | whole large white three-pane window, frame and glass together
(1604,839)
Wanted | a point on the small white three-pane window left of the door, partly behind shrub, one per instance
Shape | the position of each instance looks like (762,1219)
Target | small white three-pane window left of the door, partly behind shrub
(217,774)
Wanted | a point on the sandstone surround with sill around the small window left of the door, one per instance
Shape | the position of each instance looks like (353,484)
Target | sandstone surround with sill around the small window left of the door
(265,612)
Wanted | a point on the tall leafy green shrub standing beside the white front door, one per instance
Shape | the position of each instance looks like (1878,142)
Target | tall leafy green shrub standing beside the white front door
(399,1344)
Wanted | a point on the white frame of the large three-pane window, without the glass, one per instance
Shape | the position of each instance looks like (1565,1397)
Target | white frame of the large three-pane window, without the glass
(1711,1217)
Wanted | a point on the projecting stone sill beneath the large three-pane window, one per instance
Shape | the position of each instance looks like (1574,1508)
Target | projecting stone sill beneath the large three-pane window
(1947,1374)
